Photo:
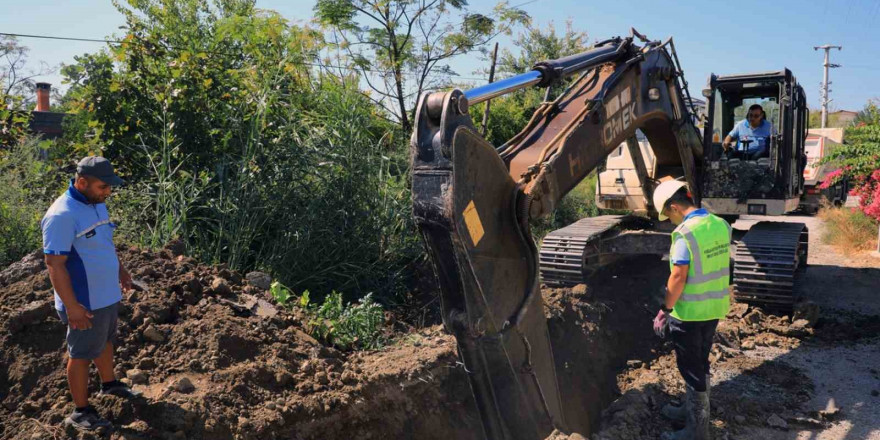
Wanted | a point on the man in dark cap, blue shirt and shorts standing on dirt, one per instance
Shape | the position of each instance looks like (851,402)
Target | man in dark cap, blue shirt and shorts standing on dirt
(87,276)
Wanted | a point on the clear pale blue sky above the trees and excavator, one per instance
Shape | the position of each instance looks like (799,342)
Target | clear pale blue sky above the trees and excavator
(710,36)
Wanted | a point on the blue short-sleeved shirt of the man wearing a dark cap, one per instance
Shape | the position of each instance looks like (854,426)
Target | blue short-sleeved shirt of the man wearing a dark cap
(81,230)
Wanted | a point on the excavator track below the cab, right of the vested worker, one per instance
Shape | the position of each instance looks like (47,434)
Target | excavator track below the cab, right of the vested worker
(766,264)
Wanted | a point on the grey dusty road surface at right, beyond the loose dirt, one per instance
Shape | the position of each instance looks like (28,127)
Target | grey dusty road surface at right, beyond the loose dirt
(845,373)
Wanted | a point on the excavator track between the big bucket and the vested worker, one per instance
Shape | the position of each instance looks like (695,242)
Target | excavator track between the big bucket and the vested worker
(564,251)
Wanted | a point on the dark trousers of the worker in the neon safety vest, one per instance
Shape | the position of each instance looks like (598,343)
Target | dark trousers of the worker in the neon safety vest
(693,342)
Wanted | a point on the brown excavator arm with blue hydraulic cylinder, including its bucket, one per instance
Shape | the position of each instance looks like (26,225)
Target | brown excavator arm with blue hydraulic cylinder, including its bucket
(473,202)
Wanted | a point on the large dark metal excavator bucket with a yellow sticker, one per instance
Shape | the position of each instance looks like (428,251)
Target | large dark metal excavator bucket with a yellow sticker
(466,205)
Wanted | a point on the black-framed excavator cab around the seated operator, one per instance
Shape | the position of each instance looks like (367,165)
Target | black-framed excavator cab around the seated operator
(768,182)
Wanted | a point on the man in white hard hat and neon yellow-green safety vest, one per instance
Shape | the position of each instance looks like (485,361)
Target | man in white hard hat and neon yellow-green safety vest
(697,296)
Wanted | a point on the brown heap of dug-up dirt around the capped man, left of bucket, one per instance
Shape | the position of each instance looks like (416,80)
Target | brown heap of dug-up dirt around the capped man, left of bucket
(215,360)
